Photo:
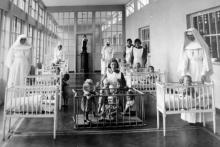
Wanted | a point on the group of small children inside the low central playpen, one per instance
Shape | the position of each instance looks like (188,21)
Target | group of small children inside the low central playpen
(109,103)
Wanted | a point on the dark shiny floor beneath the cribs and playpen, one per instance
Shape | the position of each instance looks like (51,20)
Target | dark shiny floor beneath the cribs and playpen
(38,132)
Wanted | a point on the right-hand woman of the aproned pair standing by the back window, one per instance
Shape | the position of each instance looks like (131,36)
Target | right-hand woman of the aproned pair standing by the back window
(139,54)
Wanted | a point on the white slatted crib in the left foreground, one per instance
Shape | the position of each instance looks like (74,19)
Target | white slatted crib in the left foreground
(30,102)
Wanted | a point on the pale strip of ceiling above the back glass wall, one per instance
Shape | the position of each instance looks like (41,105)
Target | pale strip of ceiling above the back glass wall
(50,3)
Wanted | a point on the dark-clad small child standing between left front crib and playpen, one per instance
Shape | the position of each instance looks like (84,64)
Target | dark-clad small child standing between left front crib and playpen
(65,85)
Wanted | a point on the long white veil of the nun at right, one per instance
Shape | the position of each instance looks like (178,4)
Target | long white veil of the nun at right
(207,66)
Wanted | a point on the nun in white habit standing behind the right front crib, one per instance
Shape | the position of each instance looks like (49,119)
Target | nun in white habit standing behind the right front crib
(195,61)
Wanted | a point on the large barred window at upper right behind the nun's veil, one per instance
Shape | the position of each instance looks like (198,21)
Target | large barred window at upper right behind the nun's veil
(208,24)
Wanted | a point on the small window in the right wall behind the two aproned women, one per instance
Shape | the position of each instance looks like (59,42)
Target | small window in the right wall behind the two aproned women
(144,35)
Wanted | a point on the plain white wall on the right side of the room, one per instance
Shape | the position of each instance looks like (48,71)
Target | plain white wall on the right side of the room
(167,21)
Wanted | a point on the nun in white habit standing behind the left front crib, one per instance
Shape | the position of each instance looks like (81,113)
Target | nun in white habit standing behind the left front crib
(18,61)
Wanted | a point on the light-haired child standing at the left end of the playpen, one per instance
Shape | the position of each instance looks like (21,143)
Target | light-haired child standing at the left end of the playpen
(88,99)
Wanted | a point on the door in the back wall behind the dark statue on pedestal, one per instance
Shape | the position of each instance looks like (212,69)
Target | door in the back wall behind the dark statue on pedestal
(79,38)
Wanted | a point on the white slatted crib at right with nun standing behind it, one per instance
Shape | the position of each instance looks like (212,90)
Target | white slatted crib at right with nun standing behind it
(174,98)
